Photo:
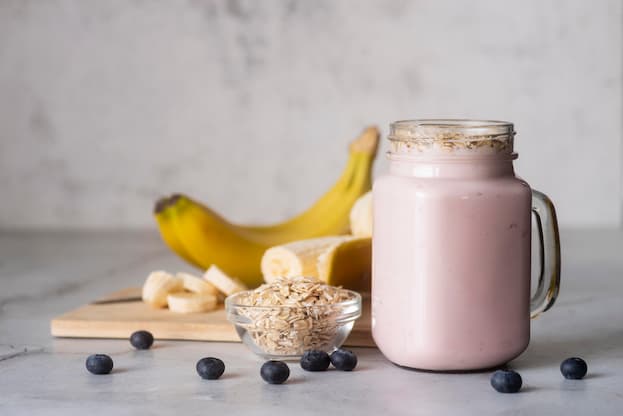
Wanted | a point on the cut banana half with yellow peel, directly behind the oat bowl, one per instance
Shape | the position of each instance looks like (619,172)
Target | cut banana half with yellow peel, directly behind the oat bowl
(338,261)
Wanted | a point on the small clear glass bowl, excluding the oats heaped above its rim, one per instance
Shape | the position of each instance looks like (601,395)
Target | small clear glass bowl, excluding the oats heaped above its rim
(285,332)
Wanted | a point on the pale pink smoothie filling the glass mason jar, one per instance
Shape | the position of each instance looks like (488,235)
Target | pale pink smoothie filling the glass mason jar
(451,263)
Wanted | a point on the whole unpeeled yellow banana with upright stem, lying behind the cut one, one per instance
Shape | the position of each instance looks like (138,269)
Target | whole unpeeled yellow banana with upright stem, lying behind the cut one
(203,238)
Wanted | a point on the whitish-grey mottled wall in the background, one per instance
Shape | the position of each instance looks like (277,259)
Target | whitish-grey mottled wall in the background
(248,105)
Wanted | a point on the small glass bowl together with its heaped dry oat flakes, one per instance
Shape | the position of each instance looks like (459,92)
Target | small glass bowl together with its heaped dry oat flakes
(287,317)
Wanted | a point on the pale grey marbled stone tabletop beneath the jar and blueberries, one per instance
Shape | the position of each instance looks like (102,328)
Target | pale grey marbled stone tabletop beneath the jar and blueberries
(44,274)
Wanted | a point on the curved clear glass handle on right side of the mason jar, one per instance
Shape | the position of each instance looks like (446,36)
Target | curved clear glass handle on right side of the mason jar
(549,245)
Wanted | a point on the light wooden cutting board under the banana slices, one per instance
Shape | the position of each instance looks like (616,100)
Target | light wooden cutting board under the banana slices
(120,320)
